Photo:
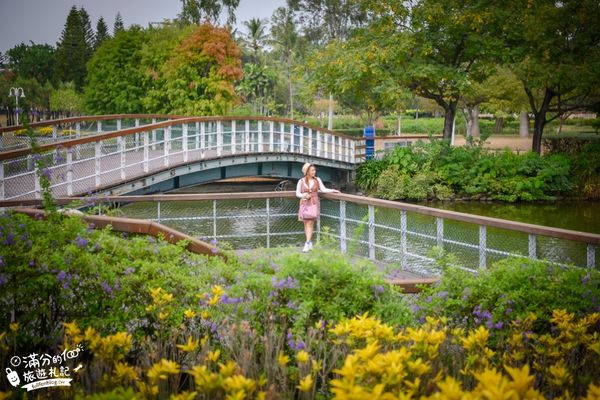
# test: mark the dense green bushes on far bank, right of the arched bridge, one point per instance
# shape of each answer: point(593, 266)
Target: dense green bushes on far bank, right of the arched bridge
point(436, 170)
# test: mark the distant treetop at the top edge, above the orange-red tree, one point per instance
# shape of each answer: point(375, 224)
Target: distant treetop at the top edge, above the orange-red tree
point(199, 11)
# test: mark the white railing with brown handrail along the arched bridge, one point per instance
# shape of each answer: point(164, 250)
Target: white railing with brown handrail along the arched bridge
point(95, 159)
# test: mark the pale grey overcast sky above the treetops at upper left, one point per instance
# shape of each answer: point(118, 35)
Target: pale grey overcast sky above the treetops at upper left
point(42, 21)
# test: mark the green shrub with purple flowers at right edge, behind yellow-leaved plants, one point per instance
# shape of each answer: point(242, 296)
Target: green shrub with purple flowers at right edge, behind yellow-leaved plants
point(512, 288)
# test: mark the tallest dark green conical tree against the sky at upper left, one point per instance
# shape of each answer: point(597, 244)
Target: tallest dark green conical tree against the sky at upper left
point(72, 51)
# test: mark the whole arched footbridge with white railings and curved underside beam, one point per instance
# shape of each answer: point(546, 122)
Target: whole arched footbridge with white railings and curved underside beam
point(139, 153)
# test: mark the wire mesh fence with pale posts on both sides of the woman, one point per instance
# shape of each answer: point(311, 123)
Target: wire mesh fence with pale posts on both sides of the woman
point(413, 241)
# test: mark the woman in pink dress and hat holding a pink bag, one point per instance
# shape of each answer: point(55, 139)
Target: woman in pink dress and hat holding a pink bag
point(307, 190)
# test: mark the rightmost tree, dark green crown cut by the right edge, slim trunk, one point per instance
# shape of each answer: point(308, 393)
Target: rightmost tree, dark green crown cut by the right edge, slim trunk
point(557, 48)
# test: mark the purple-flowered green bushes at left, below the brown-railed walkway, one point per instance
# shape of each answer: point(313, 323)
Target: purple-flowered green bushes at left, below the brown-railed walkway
point(63, 269)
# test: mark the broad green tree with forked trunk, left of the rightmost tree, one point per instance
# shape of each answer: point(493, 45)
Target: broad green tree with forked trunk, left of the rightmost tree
point(439, 46)
